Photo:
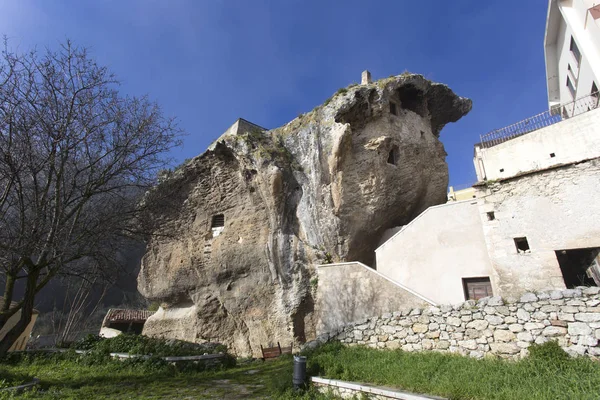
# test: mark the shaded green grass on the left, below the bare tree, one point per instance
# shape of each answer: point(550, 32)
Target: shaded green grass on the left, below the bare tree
point(70, 376)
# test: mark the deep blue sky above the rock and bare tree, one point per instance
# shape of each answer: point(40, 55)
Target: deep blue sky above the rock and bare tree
point(210, 62)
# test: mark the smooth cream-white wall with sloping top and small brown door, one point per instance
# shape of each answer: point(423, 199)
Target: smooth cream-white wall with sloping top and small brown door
point(433, 253)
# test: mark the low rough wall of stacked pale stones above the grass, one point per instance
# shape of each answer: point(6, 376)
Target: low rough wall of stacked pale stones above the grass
point(489, 326)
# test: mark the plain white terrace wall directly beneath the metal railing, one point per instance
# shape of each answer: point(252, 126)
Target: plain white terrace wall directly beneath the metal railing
point(571, 140)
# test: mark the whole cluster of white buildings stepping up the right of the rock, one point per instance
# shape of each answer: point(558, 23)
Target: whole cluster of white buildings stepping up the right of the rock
point(530, 223)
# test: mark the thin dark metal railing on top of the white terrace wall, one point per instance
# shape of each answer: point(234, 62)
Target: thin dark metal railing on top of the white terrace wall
point(556, 114)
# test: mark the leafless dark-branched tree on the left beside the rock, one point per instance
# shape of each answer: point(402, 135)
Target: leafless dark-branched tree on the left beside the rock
point(75, 156)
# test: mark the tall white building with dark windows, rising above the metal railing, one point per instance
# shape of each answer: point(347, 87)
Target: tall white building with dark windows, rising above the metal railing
point(572, 29)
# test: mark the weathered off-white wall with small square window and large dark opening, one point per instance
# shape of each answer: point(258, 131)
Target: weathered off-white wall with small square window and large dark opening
point(556, 209)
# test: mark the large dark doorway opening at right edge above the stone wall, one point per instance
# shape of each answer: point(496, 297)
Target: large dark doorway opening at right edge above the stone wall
point(580, 267)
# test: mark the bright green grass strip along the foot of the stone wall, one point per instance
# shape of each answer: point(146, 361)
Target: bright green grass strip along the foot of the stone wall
point(547, 374)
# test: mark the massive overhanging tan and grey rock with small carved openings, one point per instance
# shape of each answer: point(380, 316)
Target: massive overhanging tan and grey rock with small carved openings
point(322, 188)
